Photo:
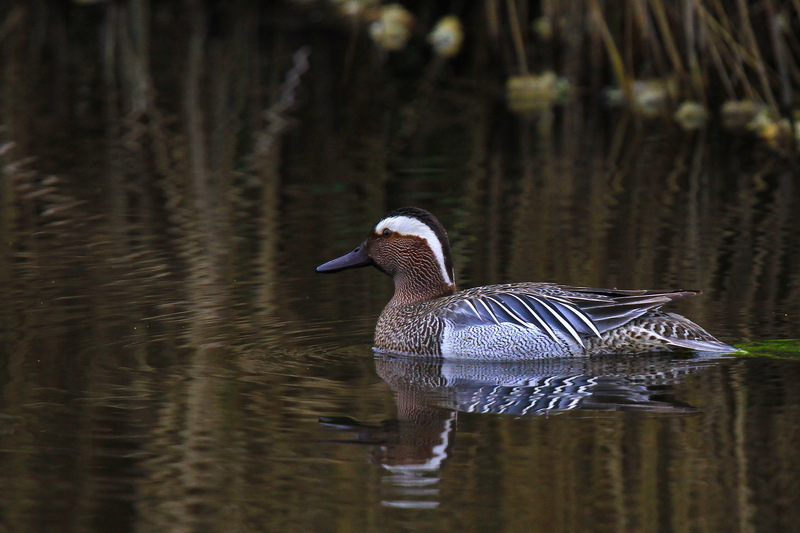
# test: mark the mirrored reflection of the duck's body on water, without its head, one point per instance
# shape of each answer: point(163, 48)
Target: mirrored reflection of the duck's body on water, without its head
point(532, 387)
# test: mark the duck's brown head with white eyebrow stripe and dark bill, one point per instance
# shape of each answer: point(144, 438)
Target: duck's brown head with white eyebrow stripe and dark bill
point(411, 246)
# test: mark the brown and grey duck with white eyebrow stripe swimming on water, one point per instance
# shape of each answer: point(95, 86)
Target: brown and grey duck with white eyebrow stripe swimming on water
point(428, 316)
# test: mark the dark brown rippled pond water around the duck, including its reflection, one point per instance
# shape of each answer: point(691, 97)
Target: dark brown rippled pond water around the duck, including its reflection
point(171, 362)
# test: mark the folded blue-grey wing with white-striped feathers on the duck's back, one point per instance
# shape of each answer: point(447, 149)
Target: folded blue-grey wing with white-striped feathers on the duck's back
point(572, 312)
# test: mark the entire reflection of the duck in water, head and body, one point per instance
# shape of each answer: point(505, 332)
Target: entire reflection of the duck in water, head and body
point(430, 392)
